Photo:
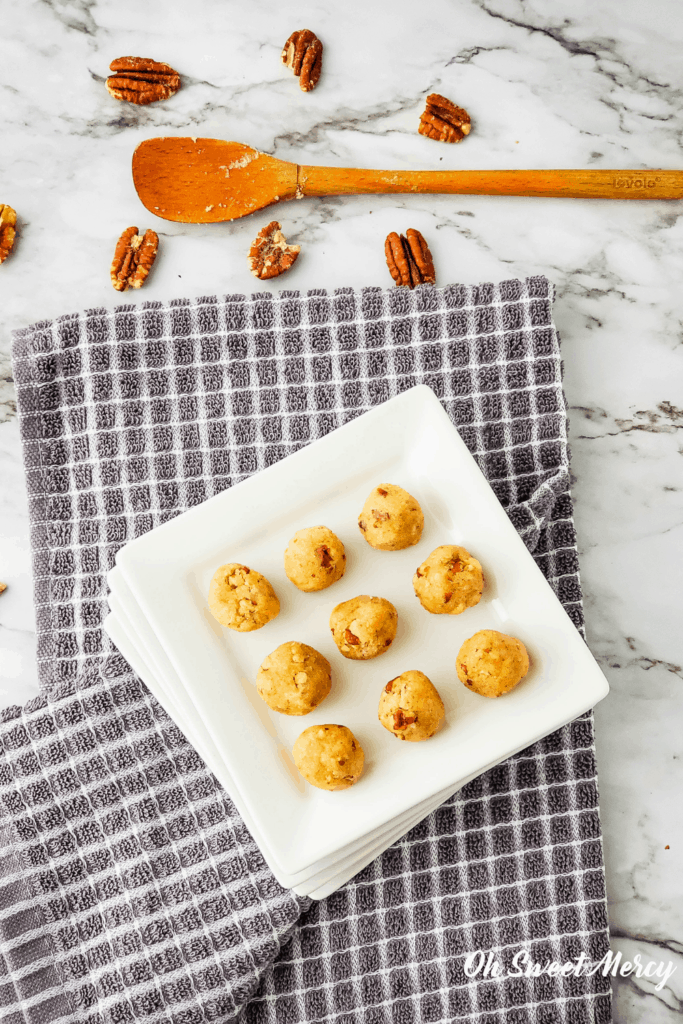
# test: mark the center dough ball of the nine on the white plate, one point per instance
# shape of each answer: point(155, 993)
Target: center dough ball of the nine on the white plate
point(364, 627)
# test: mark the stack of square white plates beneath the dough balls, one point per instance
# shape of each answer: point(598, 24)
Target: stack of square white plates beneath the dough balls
point(204, 675)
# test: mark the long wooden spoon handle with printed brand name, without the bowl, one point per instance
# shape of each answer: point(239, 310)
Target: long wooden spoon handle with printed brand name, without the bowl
point(571, 185)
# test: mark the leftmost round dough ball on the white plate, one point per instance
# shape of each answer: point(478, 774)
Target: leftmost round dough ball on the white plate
point(241, 599)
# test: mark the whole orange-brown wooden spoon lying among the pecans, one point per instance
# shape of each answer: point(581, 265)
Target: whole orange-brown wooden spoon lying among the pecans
point(204, 181)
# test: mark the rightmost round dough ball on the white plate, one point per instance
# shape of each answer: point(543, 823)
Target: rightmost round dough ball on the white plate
point(492, 664)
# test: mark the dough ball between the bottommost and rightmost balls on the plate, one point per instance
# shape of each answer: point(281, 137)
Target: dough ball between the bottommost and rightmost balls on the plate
point(411, 707)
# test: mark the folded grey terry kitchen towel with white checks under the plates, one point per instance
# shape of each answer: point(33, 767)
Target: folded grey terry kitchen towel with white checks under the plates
point(132, 890)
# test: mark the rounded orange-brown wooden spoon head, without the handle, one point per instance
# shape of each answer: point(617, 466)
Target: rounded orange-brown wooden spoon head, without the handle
point(206, 181)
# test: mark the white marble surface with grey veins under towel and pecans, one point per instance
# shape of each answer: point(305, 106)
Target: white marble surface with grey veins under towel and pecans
point(548, 84)
